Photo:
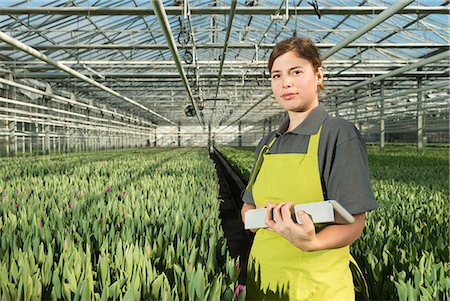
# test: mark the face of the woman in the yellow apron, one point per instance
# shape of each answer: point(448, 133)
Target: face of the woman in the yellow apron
point(295, 83)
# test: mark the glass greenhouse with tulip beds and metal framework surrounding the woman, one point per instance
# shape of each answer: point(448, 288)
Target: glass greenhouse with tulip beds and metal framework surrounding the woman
point(129, 131)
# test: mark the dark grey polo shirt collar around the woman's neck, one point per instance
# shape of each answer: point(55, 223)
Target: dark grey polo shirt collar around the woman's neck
point(310, 125)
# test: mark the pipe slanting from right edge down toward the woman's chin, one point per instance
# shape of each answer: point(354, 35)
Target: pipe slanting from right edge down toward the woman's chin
point(434, 58)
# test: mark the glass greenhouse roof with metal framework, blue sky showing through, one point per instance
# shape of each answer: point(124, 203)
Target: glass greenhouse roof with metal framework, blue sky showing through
point(124, 46)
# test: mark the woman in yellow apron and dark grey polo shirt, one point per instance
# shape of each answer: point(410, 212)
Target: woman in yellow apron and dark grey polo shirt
point(312, 157)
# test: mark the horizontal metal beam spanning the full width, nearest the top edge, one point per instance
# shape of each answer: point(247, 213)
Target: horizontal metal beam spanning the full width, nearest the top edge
point(224, 10)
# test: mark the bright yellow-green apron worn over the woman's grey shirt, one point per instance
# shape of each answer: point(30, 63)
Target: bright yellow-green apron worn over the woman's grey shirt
point(277, 270)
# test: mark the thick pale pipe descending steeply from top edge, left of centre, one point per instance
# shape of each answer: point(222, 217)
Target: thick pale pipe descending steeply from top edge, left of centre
point(160, 13)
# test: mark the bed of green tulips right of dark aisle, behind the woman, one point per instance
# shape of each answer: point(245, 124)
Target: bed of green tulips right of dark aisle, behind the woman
point(404, 250)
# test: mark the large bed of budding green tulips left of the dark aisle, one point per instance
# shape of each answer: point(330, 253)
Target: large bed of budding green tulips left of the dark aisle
point(113, 225)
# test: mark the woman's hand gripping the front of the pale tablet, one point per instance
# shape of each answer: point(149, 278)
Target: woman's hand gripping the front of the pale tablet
point(301, 235)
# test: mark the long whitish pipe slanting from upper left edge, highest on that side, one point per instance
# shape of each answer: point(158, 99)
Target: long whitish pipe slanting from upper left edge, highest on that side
point(16, 43)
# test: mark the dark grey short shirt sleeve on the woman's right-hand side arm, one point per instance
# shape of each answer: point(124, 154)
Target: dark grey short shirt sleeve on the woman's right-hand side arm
point(346, 173)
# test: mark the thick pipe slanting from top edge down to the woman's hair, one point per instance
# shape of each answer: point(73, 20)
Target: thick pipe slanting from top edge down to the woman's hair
point(387, 13)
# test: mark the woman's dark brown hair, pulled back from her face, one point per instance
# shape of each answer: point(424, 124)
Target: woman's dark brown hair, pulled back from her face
point(303, 47)
